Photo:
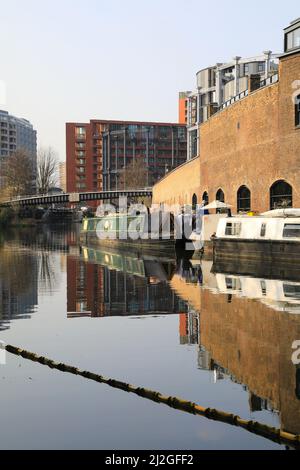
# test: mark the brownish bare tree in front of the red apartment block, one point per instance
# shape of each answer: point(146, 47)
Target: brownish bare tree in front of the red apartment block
point(135, 175)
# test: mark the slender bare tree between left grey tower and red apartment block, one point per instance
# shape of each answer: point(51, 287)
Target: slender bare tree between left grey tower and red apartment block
point(47, 170)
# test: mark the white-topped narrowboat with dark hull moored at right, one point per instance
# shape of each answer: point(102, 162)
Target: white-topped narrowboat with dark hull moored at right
point(272, 237)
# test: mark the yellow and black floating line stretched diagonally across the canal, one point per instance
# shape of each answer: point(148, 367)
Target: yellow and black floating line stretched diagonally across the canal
point(254, 427)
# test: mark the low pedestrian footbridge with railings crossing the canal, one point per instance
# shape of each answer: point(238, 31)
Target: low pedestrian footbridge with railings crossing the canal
point(75, 198)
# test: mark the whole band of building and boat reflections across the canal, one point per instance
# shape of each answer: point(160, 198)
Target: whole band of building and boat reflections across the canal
point(243, 320)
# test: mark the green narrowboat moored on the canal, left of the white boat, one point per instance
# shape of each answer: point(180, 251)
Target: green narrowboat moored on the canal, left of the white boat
point(129, 232)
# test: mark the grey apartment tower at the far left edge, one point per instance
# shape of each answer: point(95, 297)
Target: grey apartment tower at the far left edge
point(16, 134)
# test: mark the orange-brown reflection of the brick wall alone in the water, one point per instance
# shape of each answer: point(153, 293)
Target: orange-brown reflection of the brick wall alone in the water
point(254, 343)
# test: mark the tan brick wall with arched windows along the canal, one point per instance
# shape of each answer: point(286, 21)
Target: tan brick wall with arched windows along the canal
point(254, 143)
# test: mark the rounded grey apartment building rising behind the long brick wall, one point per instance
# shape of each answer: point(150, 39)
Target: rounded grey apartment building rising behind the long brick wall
point(217, 86)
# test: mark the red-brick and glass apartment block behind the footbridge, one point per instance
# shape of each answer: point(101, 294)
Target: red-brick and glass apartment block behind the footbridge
point(98, 151)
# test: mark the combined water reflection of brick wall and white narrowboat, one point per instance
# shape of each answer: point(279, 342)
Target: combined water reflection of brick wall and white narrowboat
point(247, 326)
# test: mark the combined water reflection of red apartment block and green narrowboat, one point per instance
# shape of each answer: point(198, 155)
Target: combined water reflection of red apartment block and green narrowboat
point(108, 283)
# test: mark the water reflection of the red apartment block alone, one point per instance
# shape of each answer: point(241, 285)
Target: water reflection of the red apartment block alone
point(94, 290)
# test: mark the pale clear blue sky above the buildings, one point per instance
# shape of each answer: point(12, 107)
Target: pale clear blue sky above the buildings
point(73, 60)
